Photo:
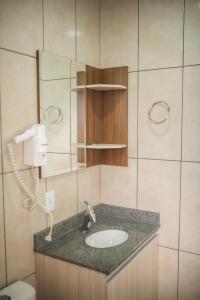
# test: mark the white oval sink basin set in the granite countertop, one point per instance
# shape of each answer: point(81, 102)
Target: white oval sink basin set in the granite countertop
point(106, 238)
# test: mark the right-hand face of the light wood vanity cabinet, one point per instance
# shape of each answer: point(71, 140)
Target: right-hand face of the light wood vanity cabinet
point(138, 279)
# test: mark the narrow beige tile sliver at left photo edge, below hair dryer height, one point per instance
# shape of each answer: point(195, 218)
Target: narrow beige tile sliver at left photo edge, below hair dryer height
point(2, 240)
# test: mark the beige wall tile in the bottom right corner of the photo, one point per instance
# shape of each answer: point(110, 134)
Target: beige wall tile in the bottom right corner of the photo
point(189, 276)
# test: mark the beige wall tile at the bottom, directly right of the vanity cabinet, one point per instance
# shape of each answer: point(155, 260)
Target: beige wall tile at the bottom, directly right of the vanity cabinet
point(167, 273)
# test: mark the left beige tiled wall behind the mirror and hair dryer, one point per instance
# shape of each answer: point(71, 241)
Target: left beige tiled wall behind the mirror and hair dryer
point(61, 27)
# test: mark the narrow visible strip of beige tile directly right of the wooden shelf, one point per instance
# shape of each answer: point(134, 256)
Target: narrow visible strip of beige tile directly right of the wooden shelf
point(132, 115)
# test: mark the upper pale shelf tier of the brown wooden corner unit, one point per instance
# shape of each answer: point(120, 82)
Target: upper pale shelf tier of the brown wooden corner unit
point(100, 87)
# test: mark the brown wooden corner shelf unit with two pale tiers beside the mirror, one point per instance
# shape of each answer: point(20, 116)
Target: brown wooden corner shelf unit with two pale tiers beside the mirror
point(106, 109)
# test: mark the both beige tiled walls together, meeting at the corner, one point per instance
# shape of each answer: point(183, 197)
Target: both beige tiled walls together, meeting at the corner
point(159, 41)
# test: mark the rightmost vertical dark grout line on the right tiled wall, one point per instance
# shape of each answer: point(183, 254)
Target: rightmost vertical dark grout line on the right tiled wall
point(180, 199)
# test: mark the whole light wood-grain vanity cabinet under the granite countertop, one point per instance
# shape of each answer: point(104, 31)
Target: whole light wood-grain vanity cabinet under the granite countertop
point(60, 280)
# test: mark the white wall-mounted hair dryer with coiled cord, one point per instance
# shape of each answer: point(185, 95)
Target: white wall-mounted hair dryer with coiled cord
point(35, 155)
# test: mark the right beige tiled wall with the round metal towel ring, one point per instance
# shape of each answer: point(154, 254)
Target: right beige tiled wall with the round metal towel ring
point(160, 42)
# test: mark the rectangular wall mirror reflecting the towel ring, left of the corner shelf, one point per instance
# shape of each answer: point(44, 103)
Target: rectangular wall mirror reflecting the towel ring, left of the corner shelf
point(62, 110)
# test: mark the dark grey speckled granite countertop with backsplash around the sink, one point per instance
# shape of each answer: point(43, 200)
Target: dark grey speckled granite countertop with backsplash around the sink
point(68, 242)
